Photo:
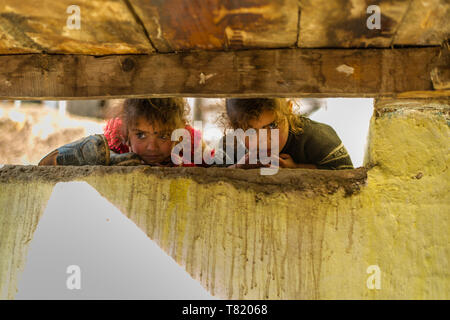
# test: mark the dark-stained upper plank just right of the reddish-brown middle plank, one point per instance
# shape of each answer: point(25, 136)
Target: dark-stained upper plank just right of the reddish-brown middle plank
point(341, 23)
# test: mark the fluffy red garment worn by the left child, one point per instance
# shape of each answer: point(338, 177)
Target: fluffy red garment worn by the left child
point(116, 143)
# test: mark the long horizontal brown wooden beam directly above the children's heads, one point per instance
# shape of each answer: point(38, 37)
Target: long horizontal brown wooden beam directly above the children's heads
point(249, 73)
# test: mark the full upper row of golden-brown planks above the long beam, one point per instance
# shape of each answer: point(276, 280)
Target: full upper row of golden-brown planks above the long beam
point(149, 26)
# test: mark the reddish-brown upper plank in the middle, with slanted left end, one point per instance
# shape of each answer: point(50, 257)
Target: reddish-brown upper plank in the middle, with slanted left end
point(180, 25)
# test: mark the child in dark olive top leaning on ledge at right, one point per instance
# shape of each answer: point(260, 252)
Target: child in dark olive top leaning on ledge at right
point(303, 143)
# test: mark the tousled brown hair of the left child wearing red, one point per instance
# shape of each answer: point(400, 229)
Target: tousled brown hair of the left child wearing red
point(169, 113)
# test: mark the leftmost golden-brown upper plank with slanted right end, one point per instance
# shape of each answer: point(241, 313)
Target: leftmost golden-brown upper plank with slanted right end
point(106, 27)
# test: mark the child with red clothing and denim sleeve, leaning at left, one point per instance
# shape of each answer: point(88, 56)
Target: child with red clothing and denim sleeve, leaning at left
point(140, 134)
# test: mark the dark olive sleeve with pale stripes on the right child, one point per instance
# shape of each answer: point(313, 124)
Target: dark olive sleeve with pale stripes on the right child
point(325, 149)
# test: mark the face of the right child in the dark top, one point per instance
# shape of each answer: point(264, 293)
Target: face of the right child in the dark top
point(267, 120)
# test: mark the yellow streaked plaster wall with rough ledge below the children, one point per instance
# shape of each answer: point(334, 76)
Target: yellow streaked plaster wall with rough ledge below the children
point(302, 234)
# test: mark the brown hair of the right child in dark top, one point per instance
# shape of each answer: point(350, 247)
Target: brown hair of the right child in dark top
point(241, 110)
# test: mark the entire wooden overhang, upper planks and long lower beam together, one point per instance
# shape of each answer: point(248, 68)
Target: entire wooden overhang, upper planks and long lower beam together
point(189, 48)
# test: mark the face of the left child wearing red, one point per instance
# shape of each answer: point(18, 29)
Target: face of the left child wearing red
point(147, 140)
